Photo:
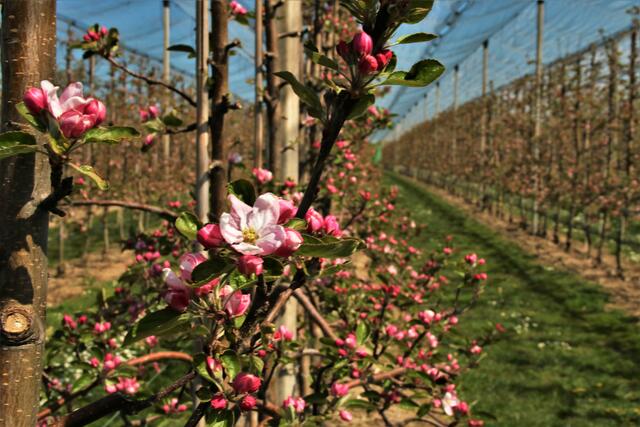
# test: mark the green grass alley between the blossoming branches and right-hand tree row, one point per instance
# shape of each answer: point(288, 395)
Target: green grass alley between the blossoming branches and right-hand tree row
point(566, 361)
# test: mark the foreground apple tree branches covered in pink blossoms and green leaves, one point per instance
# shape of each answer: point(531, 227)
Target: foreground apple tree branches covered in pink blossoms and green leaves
point(376, 335)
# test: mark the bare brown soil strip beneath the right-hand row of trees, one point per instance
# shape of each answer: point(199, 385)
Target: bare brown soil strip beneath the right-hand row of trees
point(625, 294)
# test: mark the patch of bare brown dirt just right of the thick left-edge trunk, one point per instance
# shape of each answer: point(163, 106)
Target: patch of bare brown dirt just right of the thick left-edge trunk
point(79, 273)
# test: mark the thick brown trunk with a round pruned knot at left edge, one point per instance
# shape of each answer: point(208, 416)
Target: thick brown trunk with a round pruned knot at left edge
point(28, 56)
